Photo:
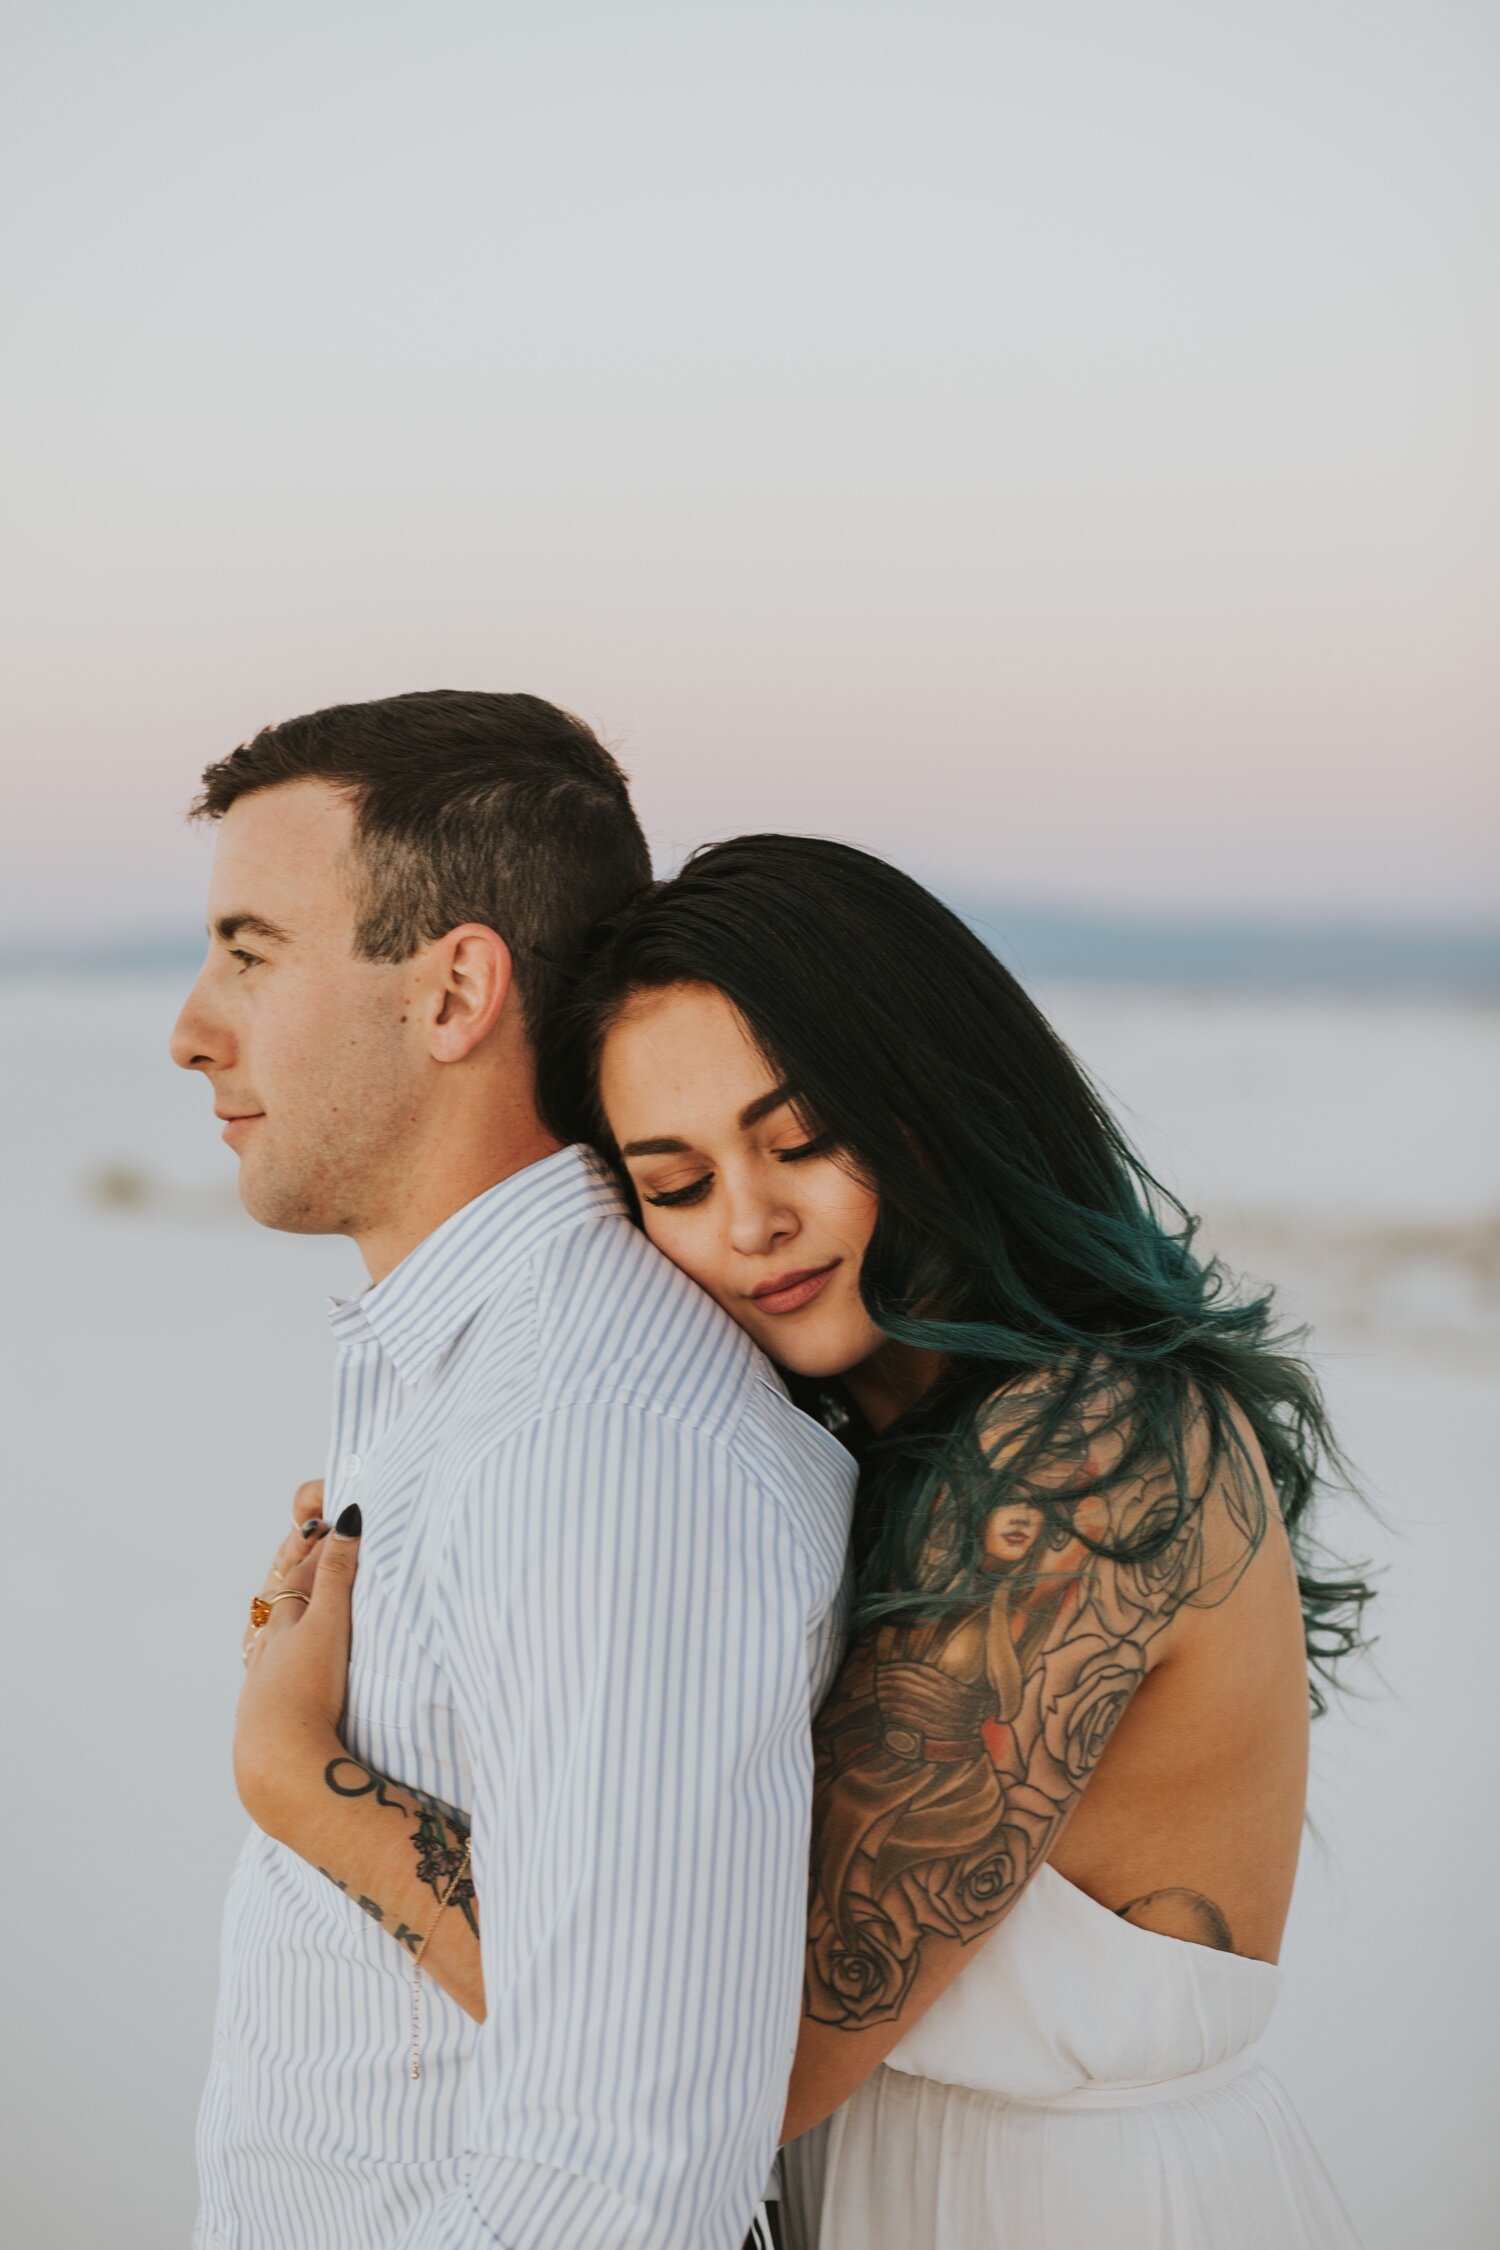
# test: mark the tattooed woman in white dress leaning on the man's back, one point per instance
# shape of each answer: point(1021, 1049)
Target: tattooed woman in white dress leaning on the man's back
point(1087, 1632)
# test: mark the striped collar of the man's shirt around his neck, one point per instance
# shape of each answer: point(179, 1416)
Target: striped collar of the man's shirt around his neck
point(417, 1311)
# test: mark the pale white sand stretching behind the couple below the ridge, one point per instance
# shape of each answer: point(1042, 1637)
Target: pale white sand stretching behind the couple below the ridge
point(165, 1369)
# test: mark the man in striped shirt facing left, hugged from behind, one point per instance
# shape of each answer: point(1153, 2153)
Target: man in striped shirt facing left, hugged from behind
point(599, 1565)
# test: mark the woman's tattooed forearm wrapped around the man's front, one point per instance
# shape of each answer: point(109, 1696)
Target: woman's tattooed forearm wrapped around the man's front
point(395, 1851)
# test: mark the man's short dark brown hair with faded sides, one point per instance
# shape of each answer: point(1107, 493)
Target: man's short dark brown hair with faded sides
point(469, 809)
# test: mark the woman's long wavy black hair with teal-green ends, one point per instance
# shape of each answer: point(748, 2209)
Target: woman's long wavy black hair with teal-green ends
point(1020, 1236)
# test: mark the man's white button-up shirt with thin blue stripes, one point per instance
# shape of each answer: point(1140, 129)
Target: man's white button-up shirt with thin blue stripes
point(599, 1599)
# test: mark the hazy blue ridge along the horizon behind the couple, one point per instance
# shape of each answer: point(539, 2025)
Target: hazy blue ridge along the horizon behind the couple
point(1056, 946)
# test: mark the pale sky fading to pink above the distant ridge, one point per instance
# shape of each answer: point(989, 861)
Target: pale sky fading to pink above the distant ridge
point(1047, 444)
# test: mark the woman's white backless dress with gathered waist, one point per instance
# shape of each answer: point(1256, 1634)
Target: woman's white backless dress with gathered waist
point(1083, 2085)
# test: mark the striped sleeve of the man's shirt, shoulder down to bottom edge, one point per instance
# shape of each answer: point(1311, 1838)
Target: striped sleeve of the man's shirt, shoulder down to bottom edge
point(629, 1644)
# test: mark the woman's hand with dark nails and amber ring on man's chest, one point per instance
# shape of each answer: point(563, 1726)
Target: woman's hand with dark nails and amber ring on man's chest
point(298, 1664)
